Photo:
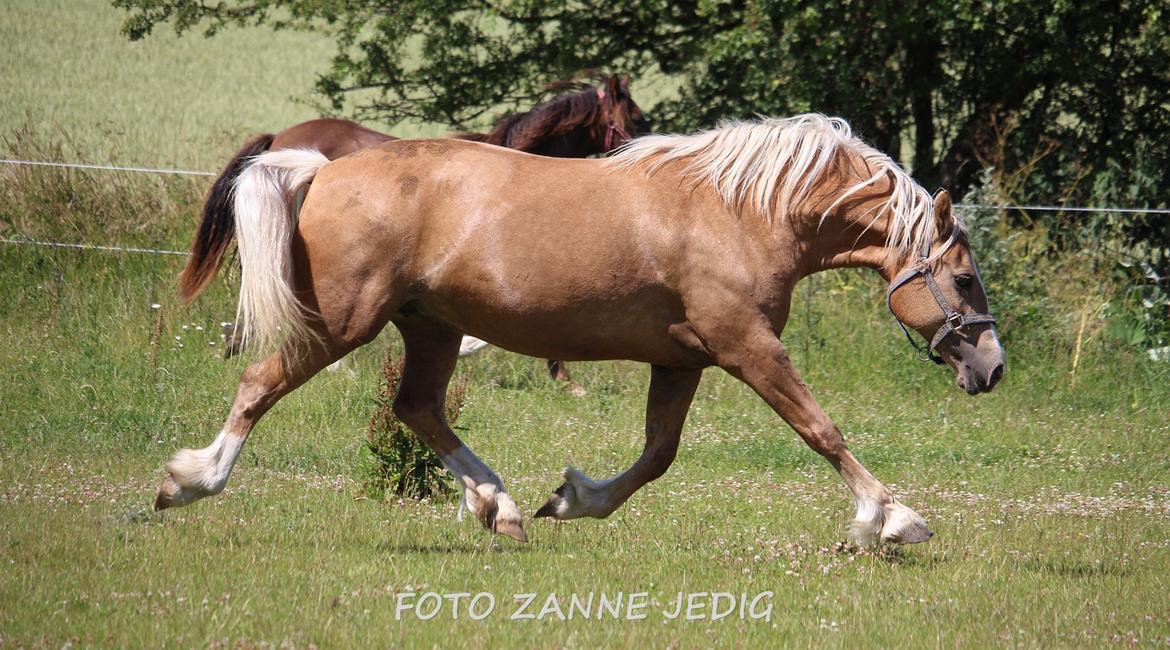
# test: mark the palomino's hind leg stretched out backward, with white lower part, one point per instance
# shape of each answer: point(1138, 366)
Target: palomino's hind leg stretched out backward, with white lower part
point(195, 474)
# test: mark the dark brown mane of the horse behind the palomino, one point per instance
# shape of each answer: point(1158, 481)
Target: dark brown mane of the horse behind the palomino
point(558, 116)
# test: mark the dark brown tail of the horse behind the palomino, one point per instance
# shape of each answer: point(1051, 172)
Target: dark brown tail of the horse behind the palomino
point(218, 226)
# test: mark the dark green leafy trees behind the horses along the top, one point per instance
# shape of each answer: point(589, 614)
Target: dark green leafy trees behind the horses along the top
point(1076, 94)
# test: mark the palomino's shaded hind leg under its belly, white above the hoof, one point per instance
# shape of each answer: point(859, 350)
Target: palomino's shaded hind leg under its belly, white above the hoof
point(431, 354)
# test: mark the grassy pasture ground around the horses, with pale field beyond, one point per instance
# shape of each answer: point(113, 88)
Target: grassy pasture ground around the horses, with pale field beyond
point(1050, 497)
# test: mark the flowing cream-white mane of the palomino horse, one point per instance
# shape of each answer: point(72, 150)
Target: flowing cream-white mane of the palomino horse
point(774, 164)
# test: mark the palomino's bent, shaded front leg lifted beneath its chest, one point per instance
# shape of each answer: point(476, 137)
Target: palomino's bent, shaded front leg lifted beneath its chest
point(666, 412)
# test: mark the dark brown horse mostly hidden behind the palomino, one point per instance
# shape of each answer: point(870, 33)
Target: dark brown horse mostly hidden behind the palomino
point(587, 121)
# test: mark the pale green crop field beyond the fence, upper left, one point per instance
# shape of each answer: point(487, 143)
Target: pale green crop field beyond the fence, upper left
point(166, 101)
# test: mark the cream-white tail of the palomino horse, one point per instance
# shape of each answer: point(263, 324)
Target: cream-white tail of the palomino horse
point(265, 223)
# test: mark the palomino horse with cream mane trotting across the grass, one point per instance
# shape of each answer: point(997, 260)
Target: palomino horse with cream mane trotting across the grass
point(691, 248)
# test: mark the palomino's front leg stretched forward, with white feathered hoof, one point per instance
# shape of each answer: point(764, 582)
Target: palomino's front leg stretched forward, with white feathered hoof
point(759, 359)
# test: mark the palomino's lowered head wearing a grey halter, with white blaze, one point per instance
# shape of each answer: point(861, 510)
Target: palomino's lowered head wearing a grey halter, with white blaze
point(940, 295)
